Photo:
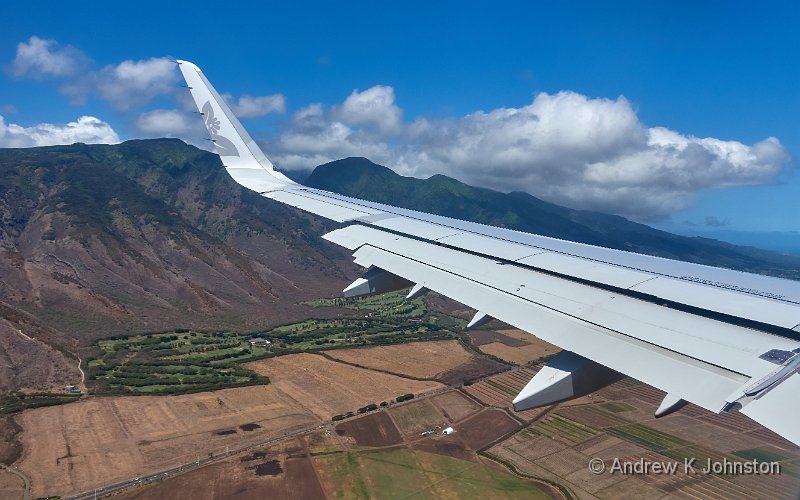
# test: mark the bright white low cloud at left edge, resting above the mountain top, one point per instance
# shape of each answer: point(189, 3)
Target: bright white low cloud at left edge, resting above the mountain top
point(86, 129)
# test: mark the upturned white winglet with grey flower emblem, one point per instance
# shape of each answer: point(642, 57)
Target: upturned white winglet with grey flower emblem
point(242, 157)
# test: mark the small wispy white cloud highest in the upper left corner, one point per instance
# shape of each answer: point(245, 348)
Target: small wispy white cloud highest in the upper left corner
point(38, 58)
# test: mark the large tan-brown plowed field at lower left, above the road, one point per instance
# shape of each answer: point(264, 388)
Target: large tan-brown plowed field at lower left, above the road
point(97, 441)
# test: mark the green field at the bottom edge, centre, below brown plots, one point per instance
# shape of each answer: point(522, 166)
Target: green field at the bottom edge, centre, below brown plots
point(416, 474)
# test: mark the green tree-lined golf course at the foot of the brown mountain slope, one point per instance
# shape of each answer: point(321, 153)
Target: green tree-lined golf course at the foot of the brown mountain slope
point(188, 361)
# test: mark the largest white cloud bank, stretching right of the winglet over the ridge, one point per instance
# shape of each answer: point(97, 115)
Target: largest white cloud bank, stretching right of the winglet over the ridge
point(587, 153)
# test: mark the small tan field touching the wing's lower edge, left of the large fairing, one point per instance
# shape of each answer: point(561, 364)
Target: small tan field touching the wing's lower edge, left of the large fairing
point(513, 346)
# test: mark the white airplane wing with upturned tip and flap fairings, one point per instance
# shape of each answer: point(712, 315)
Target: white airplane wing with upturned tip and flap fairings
point(718, 338)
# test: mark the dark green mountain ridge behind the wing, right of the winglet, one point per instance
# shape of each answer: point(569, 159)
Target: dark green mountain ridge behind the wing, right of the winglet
point(442, 195)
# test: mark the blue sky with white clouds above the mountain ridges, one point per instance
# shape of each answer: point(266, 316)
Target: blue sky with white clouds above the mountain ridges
point(445, 87)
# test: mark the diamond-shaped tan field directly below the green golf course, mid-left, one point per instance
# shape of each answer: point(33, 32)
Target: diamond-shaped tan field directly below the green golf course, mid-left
point(312, 379)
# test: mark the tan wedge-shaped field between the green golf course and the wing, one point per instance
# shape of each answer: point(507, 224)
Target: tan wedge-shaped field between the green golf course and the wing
point(417, 360)
